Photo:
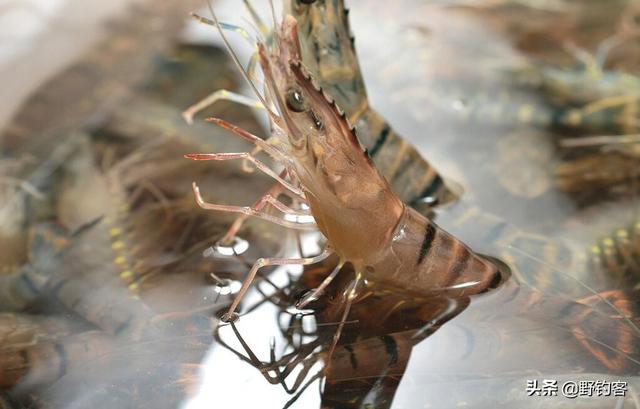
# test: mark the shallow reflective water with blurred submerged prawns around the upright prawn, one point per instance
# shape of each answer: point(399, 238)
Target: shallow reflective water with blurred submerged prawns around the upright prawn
point(444, 75)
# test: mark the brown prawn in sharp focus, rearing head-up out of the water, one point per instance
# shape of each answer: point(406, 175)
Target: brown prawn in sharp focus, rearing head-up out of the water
point(364, 222)
